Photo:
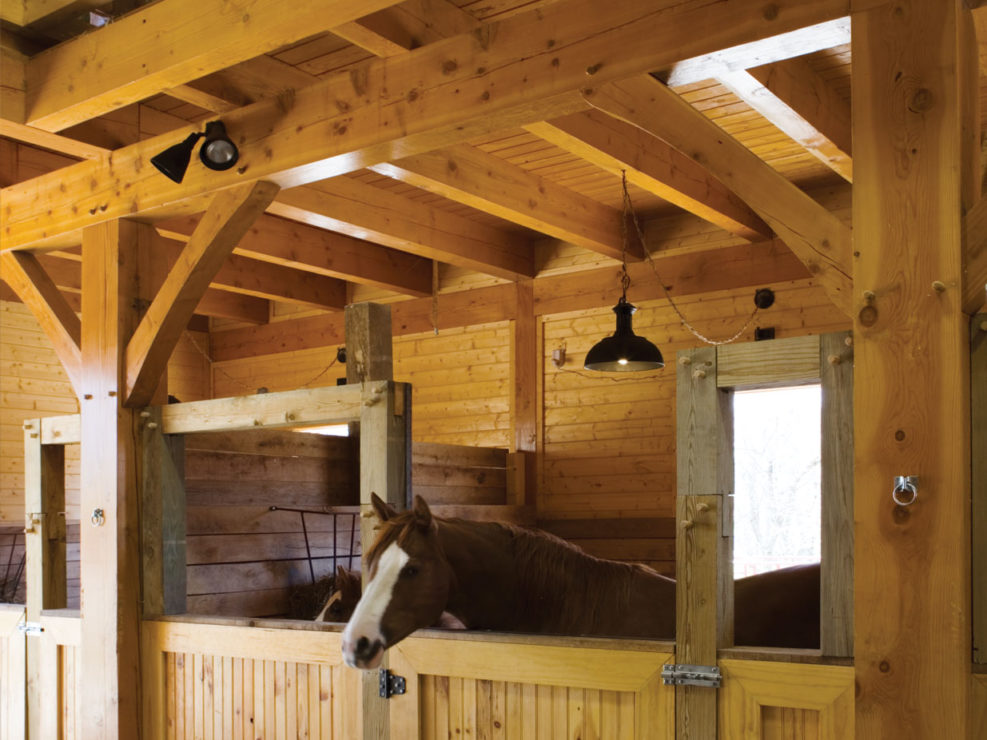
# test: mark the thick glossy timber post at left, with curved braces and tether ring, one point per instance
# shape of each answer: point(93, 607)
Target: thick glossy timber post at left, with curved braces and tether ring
point(109, 696)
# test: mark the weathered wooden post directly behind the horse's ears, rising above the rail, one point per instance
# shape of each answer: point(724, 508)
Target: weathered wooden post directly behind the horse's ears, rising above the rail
point(385, 451)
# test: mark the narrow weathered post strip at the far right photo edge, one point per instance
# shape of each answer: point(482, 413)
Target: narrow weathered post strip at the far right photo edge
point(978, 439)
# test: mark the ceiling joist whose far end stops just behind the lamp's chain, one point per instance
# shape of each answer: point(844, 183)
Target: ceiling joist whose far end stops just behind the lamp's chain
point(470, 176)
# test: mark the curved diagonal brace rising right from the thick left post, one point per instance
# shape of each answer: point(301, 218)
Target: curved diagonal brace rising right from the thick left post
point(229, 216)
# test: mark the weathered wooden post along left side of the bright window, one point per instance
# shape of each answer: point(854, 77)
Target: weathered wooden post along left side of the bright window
point(703, 549)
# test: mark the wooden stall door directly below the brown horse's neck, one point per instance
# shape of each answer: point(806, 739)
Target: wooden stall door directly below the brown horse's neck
point(534, 687)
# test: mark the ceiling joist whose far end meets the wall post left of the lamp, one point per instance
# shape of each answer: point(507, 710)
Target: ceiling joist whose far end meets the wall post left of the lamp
point(363, 211)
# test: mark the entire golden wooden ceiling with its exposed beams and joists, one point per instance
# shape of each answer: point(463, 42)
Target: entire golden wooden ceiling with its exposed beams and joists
point(486, 138)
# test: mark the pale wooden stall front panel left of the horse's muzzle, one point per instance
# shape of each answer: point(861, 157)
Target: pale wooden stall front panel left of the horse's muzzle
point(231, 680)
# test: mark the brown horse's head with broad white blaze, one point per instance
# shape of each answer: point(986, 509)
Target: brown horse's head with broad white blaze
point(408, 584)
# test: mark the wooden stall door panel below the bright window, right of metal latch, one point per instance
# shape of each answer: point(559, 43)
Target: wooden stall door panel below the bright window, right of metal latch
point(762, 700)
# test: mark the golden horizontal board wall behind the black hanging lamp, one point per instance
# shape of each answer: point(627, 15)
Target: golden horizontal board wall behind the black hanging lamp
point(609, 441)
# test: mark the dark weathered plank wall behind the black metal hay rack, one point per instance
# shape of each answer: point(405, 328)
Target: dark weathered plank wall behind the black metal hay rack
point(243, 559)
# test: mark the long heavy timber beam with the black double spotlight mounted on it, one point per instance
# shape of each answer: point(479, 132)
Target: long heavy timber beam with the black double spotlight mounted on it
point(512, 74)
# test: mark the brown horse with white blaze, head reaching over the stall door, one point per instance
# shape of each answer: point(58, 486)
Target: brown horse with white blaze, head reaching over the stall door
point(496, 576)
